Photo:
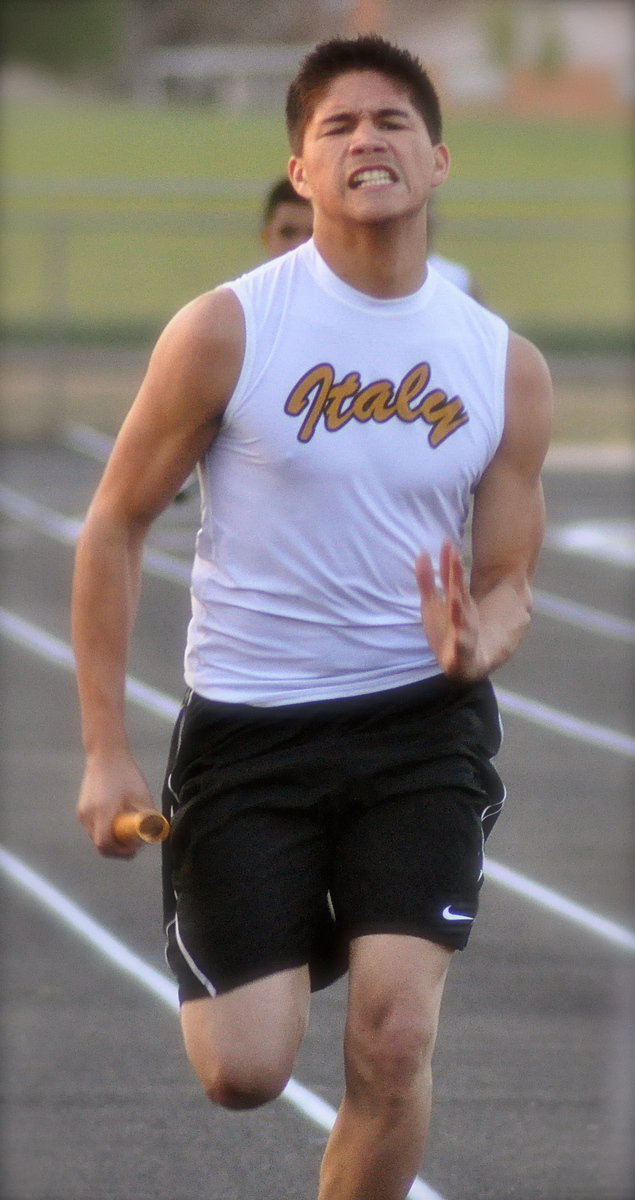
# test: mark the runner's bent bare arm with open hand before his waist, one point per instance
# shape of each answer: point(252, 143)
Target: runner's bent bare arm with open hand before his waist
point(476, 628)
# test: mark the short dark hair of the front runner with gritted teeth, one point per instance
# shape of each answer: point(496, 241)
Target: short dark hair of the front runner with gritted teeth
point(369, 52)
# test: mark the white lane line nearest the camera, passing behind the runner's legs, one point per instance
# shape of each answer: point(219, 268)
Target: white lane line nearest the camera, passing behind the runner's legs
point(155, 982)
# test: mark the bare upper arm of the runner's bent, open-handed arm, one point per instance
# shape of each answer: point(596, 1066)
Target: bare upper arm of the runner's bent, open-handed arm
point(510, 511)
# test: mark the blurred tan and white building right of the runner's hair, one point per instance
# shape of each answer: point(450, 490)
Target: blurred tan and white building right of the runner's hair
point(531, 57)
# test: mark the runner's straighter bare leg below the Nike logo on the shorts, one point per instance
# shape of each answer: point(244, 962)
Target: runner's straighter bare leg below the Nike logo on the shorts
point(378, 1142)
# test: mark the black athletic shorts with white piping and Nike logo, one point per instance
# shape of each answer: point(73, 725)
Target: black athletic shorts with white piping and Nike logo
point(301, 827)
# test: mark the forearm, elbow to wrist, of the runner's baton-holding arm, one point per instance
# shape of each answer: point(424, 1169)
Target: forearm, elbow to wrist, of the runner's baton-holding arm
point(106, 590)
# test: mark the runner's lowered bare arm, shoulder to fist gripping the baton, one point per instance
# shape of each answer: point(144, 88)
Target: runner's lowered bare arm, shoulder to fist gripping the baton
point(172, 423)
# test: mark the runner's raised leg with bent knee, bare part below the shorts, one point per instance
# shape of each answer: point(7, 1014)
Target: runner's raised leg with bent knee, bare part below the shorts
point(243, 1045)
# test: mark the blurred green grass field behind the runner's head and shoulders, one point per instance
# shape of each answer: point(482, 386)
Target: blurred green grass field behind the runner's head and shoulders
point(117, 215)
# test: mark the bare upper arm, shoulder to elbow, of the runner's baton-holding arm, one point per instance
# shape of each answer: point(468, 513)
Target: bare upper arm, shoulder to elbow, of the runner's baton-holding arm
point(178, 411)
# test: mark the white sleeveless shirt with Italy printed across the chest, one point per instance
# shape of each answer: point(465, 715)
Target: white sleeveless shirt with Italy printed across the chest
point(357, 433)
